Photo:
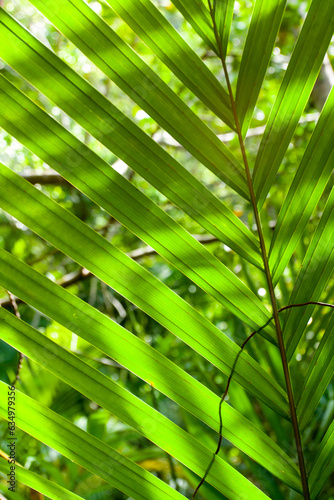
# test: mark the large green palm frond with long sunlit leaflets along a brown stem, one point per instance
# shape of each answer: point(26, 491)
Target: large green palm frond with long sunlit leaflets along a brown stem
point(267, 377)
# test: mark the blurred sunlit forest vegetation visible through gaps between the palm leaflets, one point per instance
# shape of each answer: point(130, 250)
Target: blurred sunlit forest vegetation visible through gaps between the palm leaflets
point(19, 240)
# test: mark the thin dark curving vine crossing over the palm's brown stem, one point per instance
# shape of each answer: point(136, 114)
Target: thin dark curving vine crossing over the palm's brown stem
point(223, 398)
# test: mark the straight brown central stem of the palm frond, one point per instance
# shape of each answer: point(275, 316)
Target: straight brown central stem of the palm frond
point(293, 413)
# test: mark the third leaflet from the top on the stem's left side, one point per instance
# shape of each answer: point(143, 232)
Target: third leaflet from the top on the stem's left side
point(117, 60)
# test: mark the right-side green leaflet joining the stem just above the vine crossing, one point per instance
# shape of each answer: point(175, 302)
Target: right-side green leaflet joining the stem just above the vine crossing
point(308, 184)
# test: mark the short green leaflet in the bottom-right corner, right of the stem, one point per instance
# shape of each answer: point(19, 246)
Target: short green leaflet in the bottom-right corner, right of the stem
point(323, 464)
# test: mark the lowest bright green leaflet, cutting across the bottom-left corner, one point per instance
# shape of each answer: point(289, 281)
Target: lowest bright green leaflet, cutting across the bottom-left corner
point(38, 482)
